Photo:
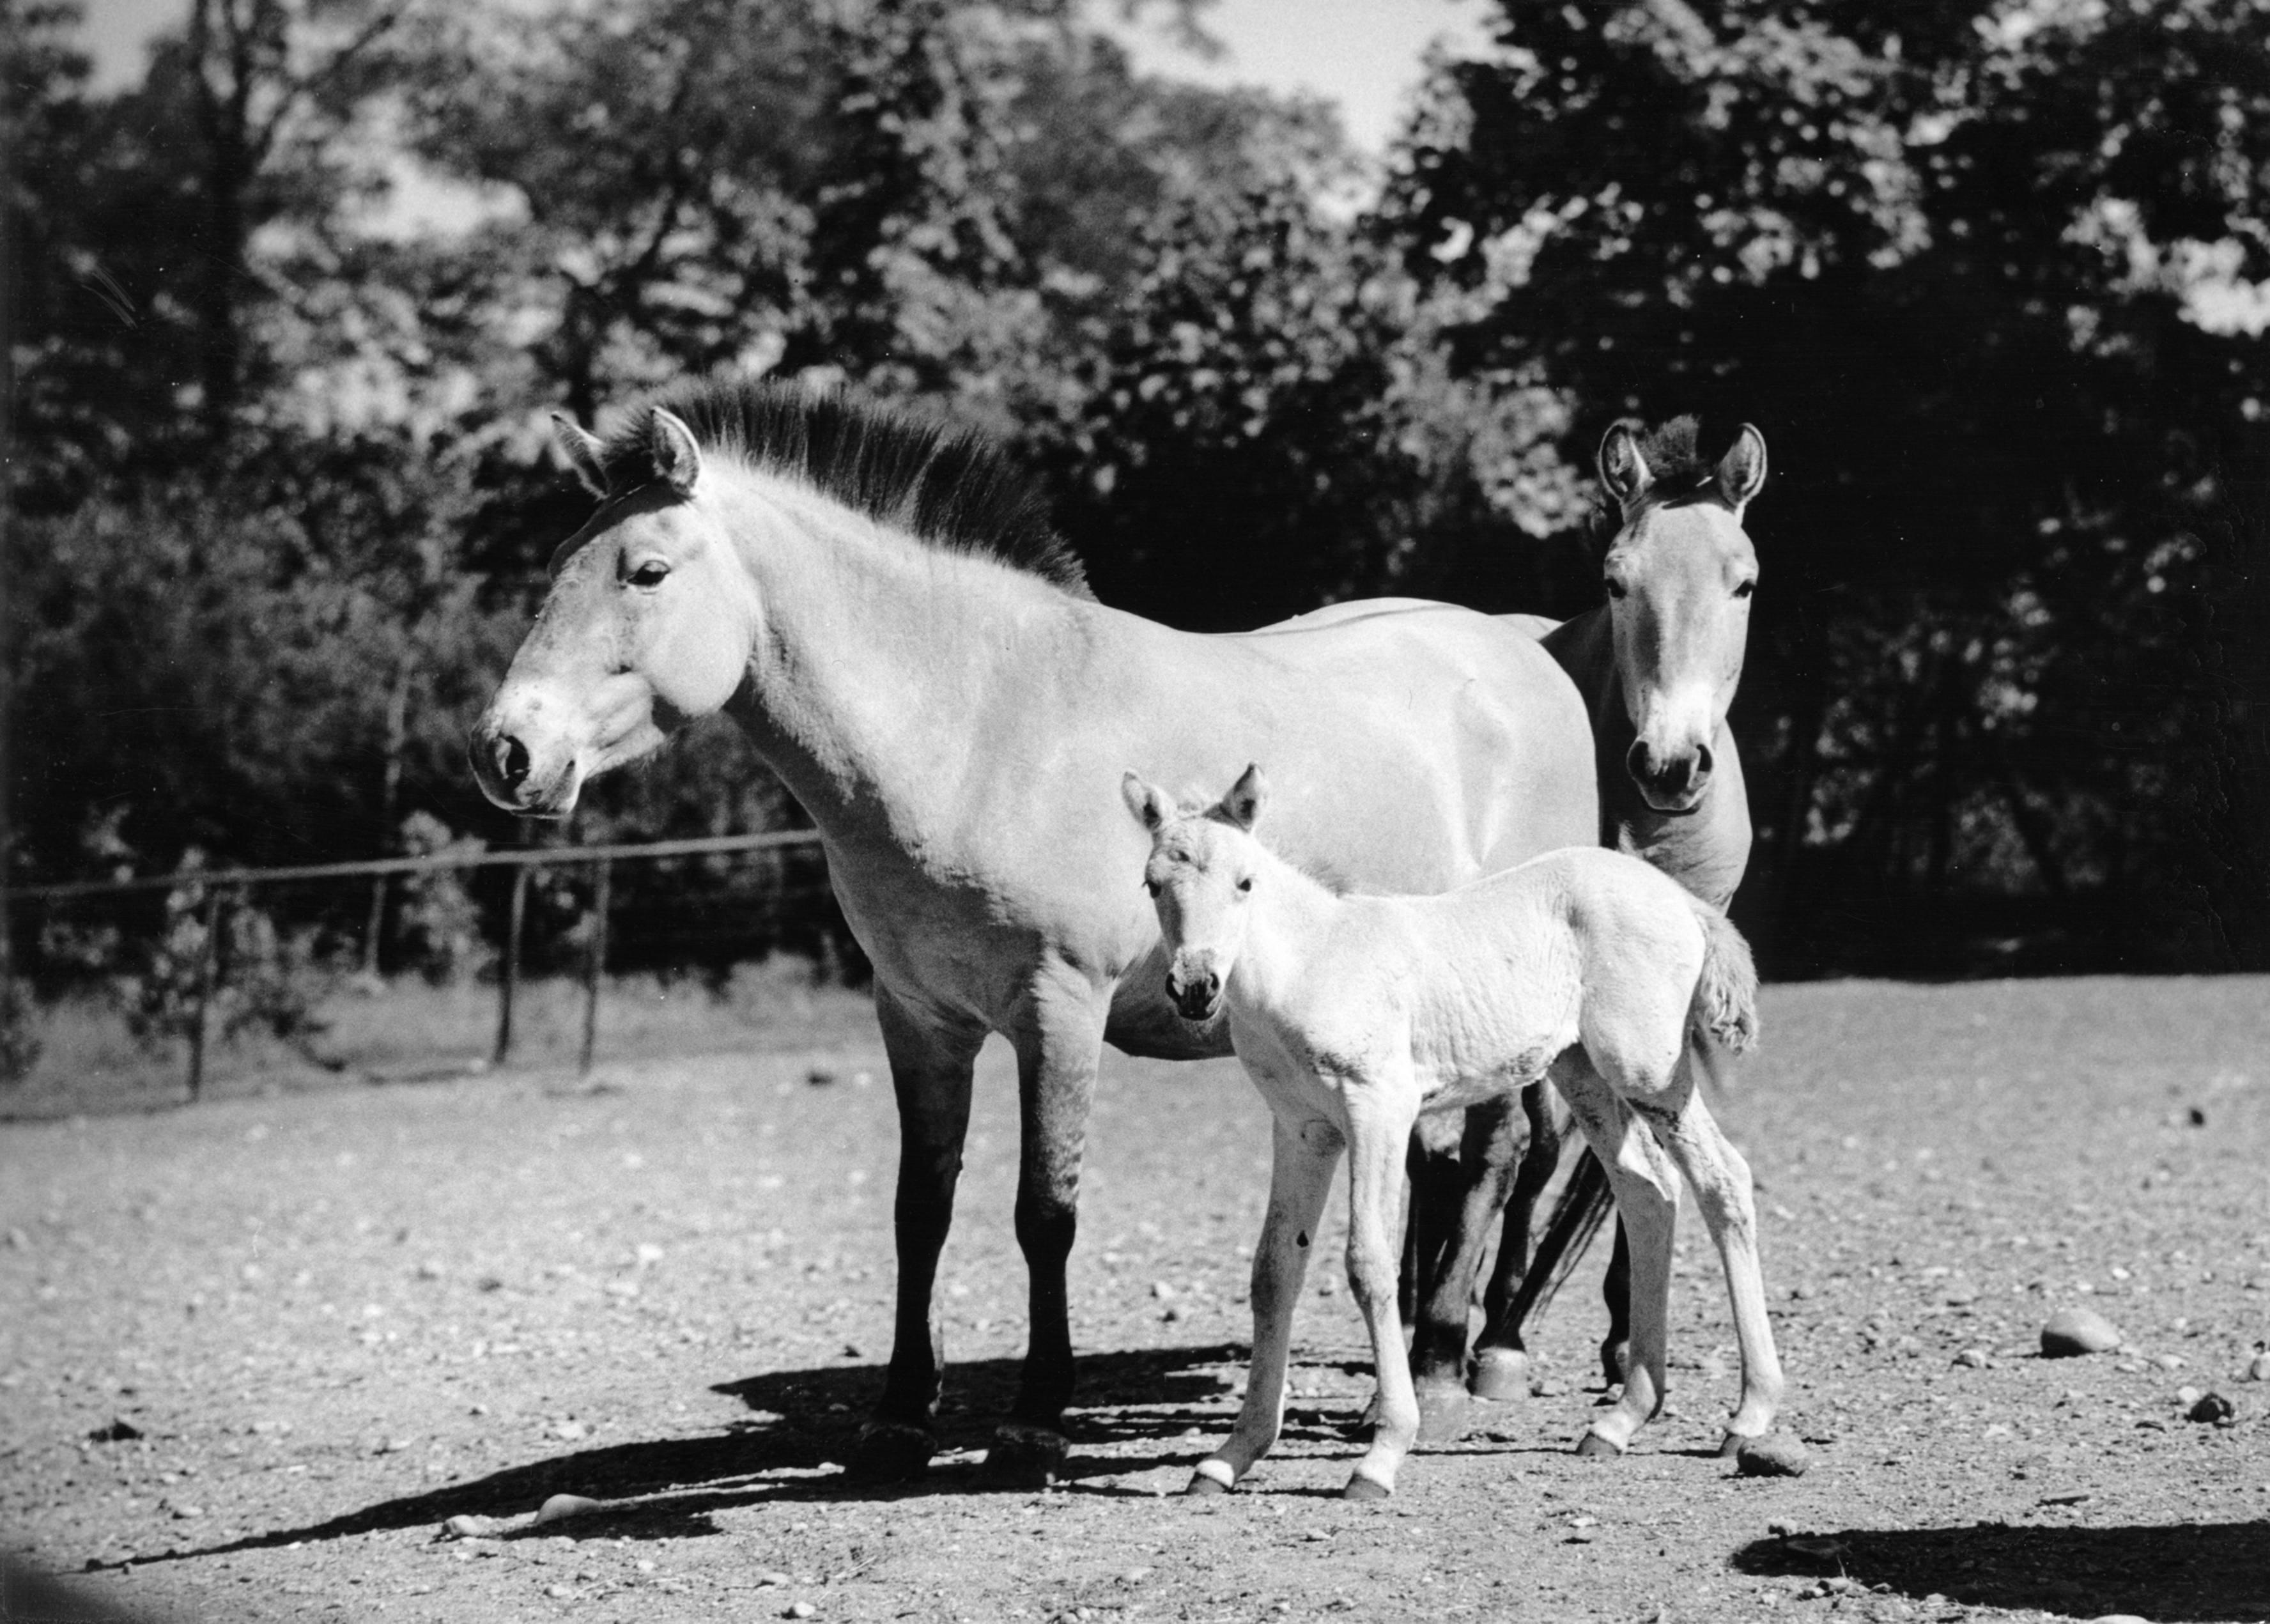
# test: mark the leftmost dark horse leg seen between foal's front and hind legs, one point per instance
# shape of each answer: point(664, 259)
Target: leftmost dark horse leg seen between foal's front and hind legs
point(1456, 1205)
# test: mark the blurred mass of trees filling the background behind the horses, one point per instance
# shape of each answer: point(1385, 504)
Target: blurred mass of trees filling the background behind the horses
point(1992, 278)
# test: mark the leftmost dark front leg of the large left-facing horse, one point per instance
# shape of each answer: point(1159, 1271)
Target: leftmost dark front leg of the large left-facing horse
point(930, 1071)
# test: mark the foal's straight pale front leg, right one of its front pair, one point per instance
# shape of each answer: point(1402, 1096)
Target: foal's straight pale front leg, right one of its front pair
point(1379, 1123)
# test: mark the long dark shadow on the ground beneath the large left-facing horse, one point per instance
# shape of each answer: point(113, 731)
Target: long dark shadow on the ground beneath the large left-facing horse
point(802, 1423)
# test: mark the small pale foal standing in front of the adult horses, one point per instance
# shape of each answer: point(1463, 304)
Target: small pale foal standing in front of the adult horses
point(1356, 1014)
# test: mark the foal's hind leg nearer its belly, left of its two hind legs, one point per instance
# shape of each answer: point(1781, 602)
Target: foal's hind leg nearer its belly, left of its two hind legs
point(1647, 1196)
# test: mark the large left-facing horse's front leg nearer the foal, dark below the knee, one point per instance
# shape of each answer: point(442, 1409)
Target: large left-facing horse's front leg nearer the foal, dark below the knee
point(1059, 1048)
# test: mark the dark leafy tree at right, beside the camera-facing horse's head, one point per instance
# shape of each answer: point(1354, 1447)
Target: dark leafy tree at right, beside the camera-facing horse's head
point(1983, 278)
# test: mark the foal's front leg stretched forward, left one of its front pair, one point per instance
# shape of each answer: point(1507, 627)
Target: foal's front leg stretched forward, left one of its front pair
point(1304, 1157)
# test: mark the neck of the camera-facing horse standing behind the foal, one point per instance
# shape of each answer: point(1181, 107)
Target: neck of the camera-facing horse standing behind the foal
point(1708, 848)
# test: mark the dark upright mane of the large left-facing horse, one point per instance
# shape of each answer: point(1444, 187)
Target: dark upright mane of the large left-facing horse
point(950, 489)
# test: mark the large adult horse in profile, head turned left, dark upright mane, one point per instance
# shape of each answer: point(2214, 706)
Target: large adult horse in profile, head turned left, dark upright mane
point(911, 648)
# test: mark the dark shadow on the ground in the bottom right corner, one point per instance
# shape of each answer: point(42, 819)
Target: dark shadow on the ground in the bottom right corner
point(2217, 1571)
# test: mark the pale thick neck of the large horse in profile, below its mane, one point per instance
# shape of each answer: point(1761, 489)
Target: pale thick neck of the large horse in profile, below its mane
point(877, 658)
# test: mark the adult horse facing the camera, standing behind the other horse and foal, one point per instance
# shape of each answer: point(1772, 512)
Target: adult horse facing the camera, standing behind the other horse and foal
point(1658, 667)
